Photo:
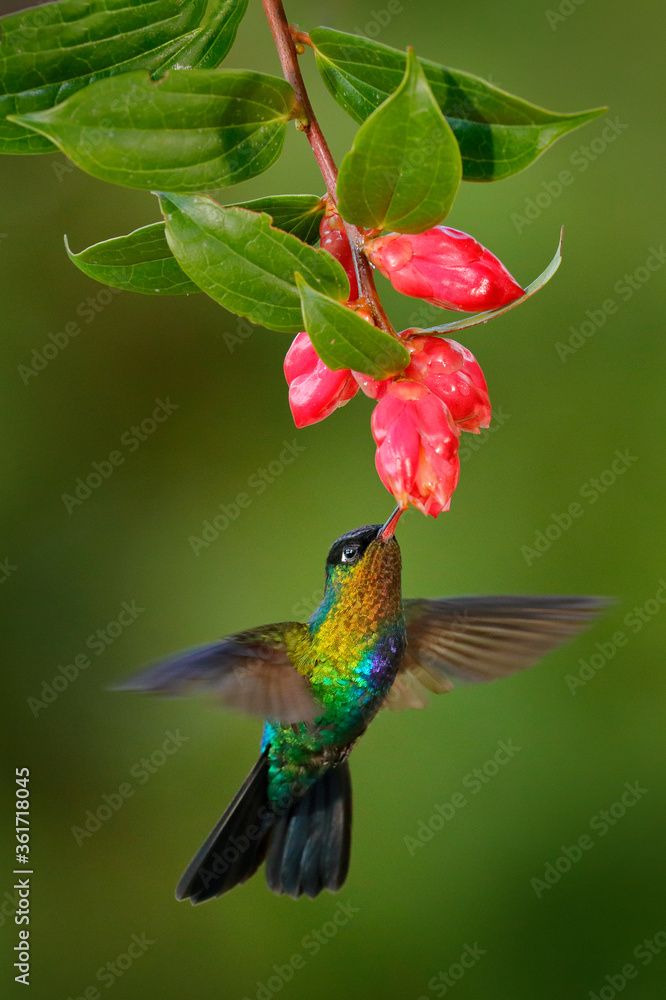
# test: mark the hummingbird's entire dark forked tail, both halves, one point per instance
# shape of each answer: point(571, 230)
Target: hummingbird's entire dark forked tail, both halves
point(306, 844)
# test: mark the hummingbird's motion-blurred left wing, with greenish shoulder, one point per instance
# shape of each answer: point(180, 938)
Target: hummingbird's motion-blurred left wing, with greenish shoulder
point(250, 671)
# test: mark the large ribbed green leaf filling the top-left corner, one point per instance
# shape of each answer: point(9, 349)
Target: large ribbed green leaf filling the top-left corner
point(47, 53)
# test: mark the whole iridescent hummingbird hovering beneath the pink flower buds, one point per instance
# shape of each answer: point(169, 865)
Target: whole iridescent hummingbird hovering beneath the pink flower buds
point(319, 684)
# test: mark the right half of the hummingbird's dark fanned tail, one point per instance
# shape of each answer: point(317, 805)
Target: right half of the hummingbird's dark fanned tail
point(308, 849)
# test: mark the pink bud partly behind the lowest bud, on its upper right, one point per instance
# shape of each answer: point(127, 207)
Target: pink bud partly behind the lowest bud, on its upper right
point(453, 374)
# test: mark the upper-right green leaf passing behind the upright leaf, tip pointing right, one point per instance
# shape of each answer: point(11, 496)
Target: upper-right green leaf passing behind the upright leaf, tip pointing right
point(498, 134)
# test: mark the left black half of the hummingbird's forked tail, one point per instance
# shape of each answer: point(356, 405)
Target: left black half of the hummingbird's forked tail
point(236, 846)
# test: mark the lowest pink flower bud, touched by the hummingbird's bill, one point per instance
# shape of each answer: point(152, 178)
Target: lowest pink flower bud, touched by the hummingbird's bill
point(417, 447)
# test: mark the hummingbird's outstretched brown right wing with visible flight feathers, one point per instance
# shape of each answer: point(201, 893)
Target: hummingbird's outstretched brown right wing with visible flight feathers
point(467, 640)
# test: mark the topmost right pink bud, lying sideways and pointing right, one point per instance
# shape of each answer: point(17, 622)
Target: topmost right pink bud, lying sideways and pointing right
point(445, 267)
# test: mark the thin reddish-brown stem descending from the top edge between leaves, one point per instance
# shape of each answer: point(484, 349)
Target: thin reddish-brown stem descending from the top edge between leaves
point(284, 36)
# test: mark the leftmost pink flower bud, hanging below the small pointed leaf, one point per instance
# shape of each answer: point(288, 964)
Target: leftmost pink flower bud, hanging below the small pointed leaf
point(314, 390)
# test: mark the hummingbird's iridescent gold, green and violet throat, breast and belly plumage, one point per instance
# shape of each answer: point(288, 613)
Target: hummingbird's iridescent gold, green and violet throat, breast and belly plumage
point(349, 654)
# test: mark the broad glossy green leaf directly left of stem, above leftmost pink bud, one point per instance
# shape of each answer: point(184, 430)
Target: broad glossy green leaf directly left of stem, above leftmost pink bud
point(246, 265)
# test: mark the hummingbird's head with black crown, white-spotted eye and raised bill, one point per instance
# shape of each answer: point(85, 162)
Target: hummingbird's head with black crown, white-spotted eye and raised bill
point(364, 565)
